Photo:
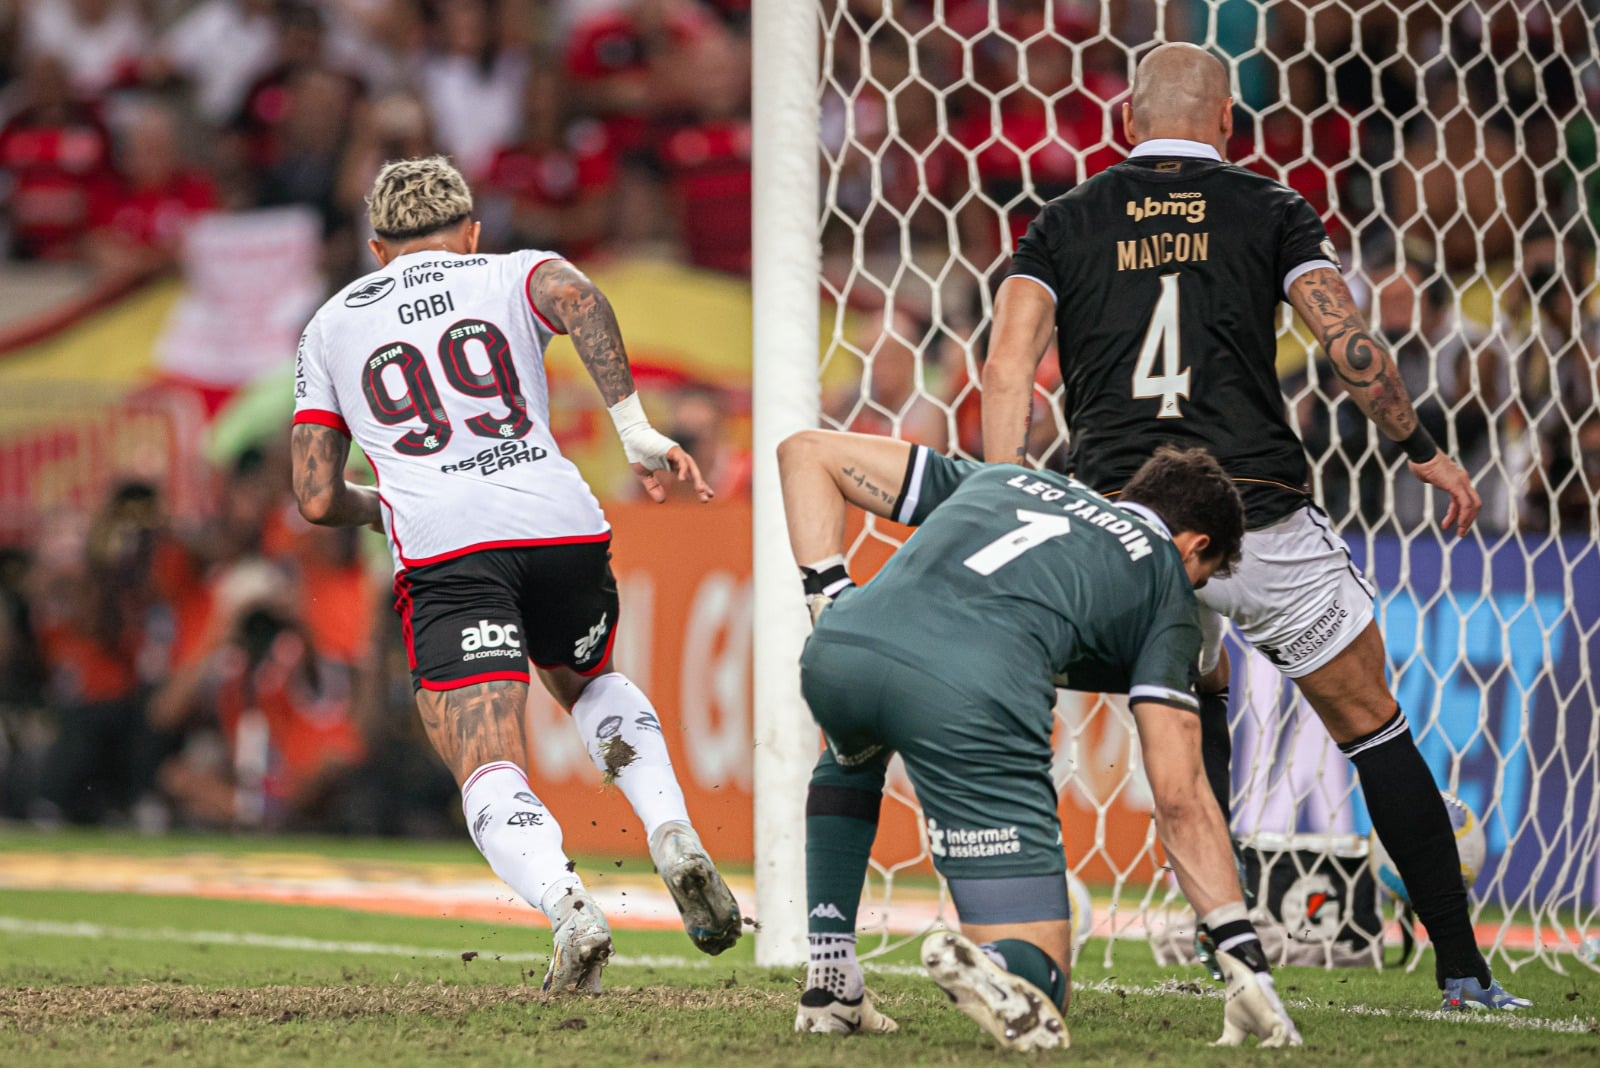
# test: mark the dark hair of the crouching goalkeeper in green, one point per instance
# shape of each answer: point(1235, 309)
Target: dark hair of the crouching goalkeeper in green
point(1191, 492)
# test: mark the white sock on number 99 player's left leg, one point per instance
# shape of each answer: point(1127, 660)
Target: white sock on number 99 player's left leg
point(518, 835)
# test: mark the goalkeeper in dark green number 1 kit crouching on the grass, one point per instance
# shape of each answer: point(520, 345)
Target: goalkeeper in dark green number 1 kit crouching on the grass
point(1014, 583)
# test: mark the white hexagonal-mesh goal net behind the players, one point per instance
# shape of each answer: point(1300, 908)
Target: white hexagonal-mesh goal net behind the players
point(1452, 153)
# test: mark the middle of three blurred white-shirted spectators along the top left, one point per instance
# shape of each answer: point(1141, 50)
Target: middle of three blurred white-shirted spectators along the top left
point(220, 47)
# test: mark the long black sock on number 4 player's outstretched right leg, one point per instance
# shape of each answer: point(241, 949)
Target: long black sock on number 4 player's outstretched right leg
point(1414, 826)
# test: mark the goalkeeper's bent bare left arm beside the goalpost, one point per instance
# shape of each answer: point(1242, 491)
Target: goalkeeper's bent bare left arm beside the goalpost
point(823, 474)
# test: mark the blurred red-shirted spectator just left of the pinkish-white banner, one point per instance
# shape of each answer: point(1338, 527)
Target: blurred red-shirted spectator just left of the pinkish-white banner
point(140, 226)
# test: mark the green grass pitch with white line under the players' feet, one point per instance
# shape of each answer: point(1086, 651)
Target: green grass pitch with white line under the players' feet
point(111, 979)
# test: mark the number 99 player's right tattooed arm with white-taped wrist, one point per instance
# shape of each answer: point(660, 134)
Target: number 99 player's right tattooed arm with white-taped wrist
point(570, 303)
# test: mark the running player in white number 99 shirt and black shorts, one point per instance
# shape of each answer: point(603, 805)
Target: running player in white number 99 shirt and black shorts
point(434, 367)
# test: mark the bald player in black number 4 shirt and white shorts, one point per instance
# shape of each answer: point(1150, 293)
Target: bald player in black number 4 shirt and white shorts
point(1162, 279)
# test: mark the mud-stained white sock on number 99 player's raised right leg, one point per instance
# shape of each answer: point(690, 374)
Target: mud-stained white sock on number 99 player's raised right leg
point(623, 736)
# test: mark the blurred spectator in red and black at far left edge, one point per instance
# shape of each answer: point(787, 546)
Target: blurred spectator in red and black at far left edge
point(57, 156)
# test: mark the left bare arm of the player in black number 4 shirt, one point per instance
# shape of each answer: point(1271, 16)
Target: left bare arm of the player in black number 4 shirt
point(1025, 319)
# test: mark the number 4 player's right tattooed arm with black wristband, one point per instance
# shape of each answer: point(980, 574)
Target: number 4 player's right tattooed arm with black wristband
point(1374, 381)
